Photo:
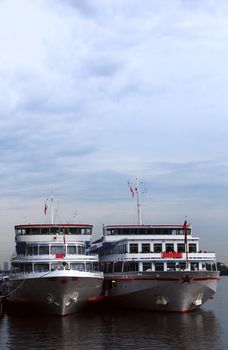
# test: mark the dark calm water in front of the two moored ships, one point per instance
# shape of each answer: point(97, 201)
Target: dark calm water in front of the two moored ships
point(115, 329)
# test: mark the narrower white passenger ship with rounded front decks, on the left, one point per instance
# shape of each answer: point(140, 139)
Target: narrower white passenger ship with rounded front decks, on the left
point(52, 270)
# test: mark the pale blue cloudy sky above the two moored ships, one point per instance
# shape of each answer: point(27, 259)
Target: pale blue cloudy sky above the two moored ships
point(94, 93)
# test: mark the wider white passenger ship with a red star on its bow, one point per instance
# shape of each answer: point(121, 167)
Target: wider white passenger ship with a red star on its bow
point(155, 267)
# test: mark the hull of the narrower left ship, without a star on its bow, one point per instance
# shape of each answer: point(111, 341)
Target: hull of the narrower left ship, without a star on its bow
point(58, 293)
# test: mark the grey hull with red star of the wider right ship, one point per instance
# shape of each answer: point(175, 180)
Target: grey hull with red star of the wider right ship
point(180, 291)
